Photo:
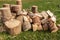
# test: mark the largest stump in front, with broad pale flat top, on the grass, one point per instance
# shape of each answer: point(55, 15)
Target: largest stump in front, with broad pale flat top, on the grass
point(13, 26)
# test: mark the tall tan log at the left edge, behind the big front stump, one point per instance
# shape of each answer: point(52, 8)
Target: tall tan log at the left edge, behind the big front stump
point(6, 14)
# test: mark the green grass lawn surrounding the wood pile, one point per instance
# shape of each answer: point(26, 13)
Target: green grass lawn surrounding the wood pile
point(53, 5)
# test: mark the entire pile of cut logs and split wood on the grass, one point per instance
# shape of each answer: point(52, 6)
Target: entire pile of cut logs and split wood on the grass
point(15, 20)
